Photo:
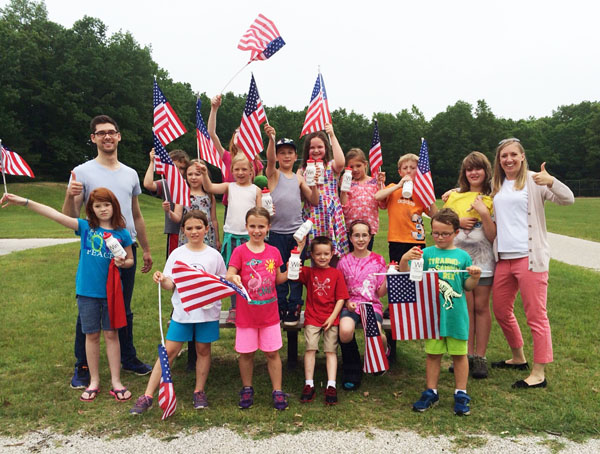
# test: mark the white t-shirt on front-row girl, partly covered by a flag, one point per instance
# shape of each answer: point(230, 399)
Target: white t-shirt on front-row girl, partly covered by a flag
point(208, 260)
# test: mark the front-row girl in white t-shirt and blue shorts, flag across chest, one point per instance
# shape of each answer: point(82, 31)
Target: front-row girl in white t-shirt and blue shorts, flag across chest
point(201, 324)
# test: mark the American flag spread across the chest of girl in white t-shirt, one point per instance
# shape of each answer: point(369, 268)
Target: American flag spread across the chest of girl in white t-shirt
point(197, 288)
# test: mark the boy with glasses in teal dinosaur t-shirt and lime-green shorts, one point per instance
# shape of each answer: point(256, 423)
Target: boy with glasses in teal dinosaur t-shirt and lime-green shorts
point(454, 317)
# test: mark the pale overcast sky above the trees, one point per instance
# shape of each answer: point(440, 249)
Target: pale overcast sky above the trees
point(525, 58)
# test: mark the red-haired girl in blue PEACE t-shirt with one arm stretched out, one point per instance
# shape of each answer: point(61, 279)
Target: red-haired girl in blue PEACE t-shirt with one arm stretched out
point(103, 215)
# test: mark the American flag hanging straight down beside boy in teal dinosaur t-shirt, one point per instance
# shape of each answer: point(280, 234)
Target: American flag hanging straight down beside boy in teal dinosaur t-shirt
point(414, 307)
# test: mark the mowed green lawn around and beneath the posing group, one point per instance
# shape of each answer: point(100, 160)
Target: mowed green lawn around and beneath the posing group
point(38, 313)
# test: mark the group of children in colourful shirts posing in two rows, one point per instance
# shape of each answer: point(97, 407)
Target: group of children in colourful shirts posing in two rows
point(255, 250)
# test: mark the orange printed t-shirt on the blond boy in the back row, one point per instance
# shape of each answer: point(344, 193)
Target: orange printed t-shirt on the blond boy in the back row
point(405, 219)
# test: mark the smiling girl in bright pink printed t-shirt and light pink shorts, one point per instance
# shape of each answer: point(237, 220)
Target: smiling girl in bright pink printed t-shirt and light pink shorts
point(256, 266)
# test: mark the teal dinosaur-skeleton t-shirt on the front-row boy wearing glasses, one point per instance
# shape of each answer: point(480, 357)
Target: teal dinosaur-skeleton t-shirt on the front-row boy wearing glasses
point(454, 315)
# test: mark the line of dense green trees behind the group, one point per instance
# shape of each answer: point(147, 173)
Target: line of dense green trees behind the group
point(55, 79)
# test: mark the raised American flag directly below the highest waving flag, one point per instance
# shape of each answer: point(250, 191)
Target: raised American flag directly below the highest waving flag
point(248, 137)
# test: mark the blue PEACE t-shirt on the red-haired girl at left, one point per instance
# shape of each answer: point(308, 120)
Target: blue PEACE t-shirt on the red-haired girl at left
point(94, 258)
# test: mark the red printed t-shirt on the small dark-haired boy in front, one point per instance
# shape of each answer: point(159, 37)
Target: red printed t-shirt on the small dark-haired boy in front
point(324, 287)
